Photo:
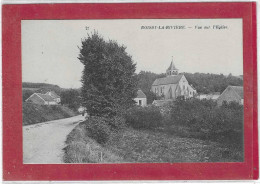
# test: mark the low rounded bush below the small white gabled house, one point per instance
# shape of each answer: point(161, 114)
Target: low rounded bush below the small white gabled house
point(144, 117)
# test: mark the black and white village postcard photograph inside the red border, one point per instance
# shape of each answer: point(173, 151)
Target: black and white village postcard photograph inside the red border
point(132, 91)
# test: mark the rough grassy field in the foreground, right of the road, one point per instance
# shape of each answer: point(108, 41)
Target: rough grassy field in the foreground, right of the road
point(144, 146)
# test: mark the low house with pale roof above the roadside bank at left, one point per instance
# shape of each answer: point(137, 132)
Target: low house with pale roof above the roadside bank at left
point(41, 99)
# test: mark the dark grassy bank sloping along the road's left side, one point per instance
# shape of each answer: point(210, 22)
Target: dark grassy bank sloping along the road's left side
point(33, 113)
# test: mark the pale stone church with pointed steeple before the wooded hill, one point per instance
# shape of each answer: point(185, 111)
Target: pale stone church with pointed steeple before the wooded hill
point(173, 85)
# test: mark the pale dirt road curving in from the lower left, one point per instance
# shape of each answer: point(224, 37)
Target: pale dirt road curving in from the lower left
point(43, 142)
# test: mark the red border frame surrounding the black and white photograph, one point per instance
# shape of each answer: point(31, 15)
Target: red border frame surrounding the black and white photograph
point(14, 169)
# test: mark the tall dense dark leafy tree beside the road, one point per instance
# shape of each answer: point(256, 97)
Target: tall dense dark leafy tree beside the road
point(108, 80)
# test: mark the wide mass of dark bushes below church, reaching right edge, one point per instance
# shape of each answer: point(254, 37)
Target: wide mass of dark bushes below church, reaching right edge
point(206, 120)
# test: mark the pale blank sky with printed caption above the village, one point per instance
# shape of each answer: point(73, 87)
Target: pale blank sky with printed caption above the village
point(50, 47)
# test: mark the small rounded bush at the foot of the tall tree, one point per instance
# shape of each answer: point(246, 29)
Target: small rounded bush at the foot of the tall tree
point(98, 128)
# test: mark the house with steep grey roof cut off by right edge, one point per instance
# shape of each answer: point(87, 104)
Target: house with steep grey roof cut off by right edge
point(232, 94)
